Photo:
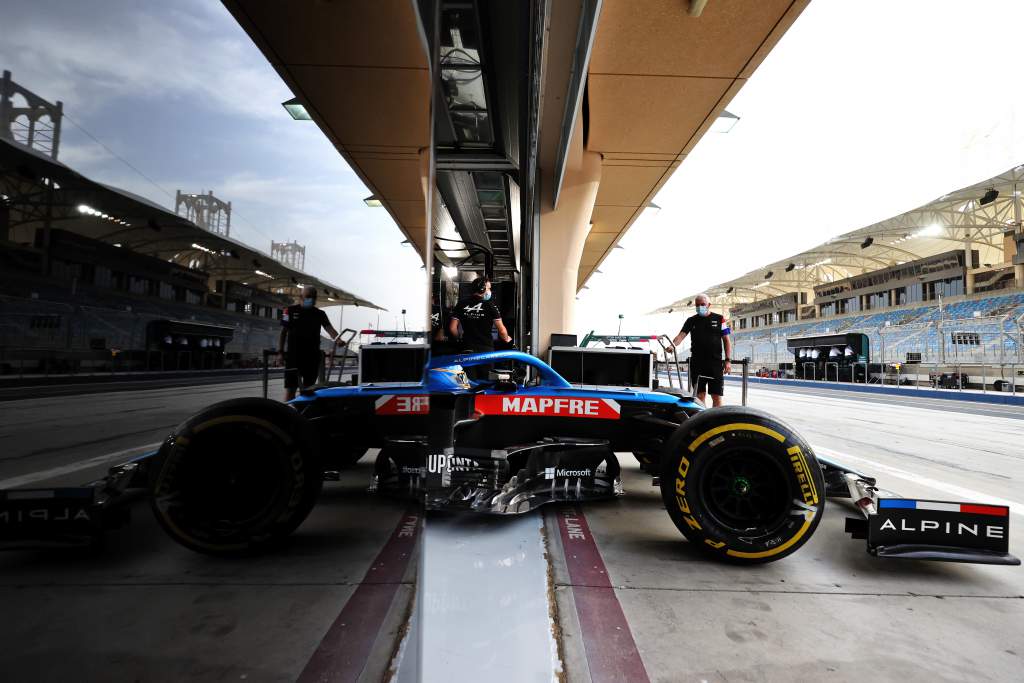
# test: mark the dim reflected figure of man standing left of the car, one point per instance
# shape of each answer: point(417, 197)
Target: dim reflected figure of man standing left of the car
point(301, 330)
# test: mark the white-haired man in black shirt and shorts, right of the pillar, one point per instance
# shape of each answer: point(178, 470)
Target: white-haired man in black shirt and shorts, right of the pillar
point(710, 333)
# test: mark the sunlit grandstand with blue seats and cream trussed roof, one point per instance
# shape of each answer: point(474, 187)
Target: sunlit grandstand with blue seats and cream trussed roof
point(942, 286)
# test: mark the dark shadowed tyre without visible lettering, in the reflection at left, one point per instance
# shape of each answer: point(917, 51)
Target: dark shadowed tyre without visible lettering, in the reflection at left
point(238, 478)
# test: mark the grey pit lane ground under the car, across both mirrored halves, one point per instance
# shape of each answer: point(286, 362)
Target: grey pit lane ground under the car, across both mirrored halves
point(144, 609)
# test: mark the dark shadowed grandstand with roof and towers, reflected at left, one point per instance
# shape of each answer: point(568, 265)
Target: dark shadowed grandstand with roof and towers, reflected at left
point(96, 279)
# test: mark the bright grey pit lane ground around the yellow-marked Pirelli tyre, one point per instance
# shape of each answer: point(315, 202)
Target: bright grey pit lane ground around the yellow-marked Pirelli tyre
point(830, 611)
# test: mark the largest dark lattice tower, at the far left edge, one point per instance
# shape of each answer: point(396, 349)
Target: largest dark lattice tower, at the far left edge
point(29, 120)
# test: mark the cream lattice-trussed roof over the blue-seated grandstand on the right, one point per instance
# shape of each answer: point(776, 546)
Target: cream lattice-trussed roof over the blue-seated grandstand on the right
point(942, 226)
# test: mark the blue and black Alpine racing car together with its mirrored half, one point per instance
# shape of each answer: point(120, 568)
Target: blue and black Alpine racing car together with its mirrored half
point(742, 486)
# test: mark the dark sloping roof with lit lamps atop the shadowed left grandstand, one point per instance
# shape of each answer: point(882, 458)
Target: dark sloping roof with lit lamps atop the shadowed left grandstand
point(116, 217)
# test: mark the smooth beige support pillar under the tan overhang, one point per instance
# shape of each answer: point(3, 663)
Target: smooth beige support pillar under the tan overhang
point(564, 233)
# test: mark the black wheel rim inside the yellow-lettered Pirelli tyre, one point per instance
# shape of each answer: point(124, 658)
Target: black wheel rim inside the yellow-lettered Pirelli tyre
point(746, 490)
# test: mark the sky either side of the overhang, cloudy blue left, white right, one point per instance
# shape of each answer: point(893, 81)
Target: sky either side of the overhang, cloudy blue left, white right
point(864, 110)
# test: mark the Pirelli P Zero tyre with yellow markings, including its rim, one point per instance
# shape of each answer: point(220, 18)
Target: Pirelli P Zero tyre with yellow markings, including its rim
point(742, 486)
